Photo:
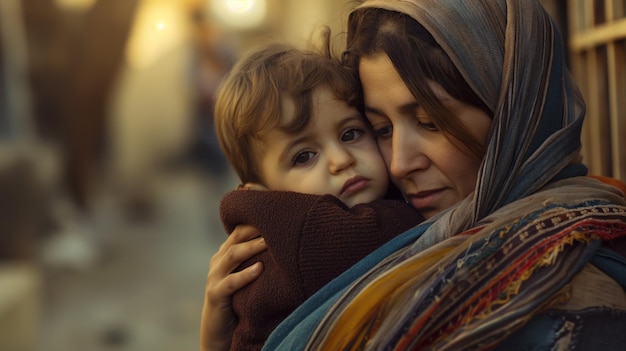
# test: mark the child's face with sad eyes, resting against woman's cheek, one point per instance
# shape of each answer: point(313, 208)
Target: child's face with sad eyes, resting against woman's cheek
point(335, 154)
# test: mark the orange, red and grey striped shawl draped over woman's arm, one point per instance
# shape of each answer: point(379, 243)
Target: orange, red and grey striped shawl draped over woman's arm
point(472, 290)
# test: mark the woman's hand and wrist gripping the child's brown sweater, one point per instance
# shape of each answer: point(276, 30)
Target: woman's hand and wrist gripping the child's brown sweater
point(218, 319)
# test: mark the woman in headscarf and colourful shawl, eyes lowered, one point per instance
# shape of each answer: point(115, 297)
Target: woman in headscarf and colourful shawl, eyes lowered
point(479, 125)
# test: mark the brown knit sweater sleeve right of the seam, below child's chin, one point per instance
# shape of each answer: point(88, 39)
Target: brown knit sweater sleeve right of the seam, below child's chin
point(334, 237)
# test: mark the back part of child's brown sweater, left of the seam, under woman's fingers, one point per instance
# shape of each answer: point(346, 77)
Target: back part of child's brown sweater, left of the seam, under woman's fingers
point(264, 303)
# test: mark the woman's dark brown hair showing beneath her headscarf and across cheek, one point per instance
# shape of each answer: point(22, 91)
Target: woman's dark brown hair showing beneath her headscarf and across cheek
point(417, 58)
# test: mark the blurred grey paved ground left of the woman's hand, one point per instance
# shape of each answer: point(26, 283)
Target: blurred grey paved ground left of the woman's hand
point(146, 293)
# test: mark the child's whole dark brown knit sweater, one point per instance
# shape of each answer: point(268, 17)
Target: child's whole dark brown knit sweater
point(311, 239)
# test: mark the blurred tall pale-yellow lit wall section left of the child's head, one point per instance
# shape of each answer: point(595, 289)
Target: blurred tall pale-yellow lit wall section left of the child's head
point(150, 112)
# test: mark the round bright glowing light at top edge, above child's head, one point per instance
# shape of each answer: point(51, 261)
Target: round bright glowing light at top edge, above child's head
point(239, 14)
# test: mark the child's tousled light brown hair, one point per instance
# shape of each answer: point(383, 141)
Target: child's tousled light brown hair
point(248, 102)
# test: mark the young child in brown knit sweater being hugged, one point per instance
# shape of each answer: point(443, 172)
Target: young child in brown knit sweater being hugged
point(288, 122)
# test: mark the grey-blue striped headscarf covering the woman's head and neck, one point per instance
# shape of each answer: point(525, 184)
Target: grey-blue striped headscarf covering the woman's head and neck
point(511, 53)
